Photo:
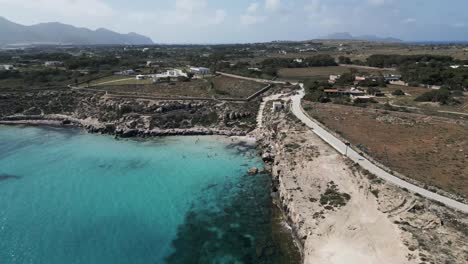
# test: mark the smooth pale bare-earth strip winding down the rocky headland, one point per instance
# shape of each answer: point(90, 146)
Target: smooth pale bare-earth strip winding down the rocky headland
point(358, 233)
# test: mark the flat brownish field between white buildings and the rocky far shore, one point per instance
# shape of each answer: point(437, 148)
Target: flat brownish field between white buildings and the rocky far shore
point(223, 87)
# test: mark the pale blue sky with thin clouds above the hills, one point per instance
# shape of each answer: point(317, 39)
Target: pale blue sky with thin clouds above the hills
point(241, 21)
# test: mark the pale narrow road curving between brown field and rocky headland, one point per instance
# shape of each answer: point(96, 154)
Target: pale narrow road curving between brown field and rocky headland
point(366, 164)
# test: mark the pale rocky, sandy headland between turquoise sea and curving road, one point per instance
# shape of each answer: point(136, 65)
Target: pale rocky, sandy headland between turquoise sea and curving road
point(379, 224)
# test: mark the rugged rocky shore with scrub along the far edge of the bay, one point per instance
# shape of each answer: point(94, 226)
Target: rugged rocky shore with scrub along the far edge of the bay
point(123, 117)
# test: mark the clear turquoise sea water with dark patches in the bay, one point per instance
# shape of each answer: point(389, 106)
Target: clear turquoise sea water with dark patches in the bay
point(71, 197)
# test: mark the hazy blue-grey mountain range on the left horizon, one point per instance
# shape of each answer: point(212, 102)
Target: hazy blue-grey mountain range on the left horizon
point(62, 34)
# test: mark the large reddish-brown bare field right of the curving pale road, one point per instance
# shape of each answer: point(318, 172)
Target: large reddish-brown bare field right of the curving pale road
point(432, 150)
